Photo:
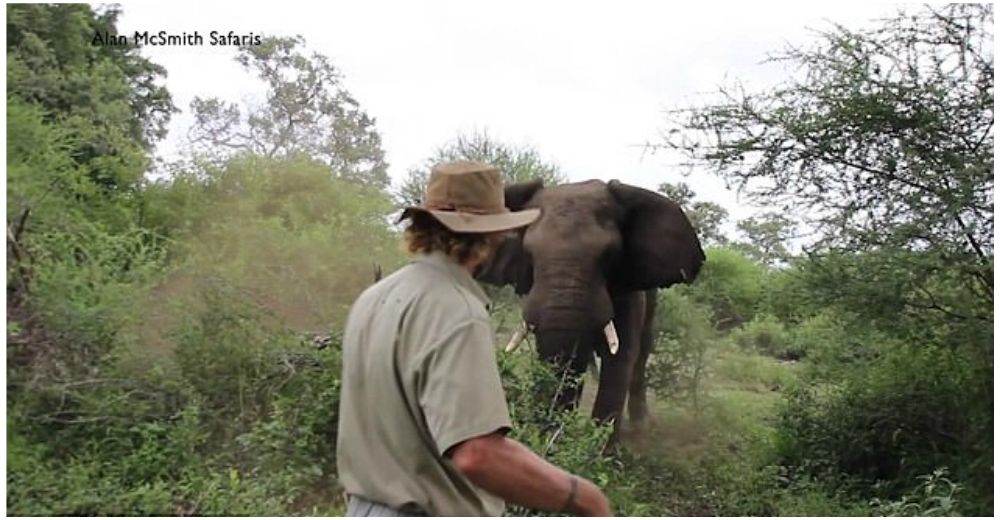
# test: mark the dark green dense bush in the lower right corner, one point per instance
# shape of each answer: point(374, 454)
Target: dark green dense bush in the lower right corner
point(903, 415)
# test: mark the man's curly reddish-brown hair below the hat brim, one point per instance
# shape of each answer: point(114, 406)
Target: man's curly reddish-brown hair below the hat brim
point(425, 235)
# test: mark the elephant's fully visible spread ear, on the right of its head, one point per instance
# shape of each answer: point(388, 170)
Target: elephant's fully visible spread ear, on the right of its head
point(659, 245)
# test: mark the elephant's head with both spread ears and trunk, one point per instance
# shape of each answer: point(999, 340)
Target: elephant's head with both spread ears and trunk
point(593, 241)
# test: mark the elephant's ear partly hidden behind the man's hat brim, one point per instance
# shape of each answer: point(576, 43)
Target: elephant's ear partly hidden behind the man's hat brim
point(510, 264)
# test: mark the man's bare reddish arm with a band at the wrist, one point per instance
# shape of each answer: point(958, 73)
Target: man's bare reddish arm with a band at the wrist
point(514, 473)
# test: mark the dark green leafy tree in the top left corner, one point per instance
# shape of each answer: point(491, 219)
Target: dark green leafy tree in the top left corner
point(106, 98)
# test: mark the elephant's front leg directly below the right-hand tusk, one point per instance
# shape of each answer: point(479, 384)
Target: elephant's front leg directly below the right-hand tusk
point(617, 369)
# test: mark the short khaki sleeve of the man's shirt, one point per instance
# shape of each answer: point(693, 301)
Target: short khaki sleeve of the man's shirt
point(460, 392)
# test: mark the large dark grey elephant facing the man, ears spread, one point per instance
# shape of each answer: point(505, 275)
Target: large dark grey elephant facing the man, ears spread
point(598, 252)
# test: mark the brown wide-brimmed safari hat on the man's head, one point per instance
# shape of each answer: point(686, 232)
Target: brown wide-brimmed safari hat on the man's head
point(467, 197)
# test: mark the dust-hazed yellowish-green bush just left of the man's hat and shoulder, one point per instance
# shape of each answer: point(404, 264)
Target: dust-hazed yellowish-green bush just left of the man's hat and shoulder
point(296, 240)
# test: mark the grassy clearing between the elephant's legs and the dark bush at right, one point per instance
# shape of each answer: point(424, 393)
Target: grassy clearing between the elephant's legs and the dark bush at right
point(715, 459)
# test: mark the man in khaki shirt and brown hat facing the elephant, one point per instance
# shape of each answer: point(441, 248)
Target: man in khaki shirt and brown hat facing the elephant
point(423, 415)
